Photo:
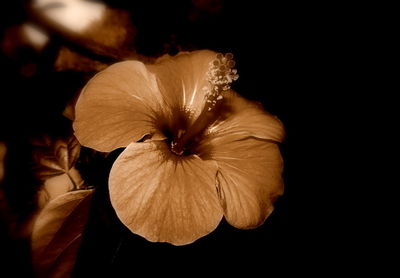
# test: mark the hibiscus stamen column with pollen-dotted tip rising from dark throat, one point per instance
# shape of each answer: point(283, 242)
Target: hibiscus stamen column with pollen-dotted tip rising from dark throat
point(220, 76)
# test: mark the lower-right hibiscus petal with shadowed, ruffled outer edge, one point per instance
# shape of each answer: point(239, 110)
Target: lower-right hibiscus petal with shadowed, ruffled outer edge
point(249, 177)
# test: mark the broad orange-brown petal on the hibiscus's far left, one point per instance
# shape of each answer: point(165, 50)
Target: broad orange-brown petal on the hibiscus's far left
point(118, 106)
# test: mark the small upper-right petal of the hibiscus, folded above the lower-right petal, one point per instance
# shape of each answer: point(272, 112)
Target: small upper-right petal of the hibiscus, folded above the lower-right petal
point(248, 119)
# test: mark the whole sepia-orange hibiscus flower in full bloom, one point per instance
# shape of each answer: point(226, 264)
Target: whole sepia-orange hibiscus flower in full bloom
point(195, 151)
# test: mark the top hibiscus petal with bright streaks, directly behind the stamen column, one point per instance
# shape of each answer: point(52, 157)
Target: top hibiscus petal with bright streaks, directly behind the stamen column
point(182, 78)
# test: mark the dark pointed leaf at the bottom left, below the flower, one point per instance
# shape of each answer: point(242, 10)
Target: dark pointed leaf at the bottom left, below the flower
point(57, 233)
